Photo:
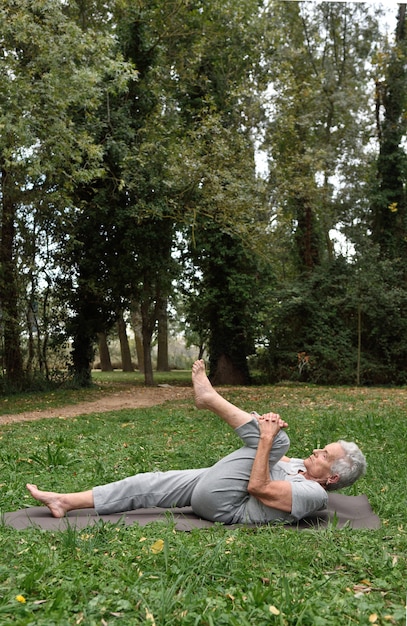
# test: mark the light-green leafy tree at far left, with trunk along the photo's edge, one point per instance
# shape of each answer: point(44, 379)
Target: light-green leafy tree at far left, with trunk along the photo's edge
point(39, 146)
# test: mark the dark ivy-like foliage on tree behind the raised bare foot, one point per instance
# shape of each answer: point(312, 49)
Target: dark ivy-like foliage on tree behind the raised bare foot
point(224, 296)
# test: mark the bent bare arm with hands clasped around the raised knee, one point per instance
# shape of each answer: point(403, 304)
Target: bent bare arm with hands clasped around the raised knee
point(274, 493)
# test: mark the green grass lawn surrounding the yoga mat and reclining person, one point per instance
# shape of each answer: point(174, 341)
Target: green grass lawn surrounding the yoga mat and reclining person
point(220, 576)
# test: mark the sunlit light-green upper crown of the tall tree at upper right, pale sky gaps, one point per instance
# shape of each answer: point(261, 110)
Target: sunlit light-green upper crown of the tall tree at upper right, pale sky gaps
point(317, 133)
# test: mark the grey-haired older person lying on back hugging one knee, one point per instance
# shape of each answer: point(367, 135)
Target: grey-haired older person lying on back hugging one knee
point(256, 484)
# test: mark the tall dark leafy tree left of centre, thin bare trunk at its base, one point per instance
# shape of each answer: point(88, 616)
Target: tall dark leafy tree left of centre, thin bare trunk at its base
point(131, 200)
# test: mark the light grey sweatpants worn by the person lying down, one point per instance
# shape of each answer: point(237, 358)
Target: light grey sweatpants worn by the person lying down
point(218, 493)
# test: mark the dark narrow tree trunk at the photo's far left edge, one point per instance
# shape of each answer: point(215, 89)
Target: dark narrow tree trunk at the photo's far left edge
point(13, 360)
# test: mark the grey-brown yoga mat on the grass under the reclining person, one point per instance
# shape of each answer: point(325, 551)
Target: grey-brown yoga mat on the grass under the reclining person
point(352, 511)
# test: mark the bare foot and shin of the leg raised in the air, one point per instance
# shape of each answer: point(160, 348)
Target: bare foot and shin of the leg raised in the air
point(206, 397)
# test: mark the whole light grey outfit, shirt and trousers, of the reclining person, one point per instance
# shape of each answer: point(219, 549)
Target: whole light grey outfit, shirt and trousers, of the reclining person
point(218, 493)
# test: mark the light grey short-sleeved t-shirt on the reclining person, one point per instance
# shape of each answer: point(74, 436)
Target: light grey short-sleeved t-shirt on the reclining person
point(308, 496)
